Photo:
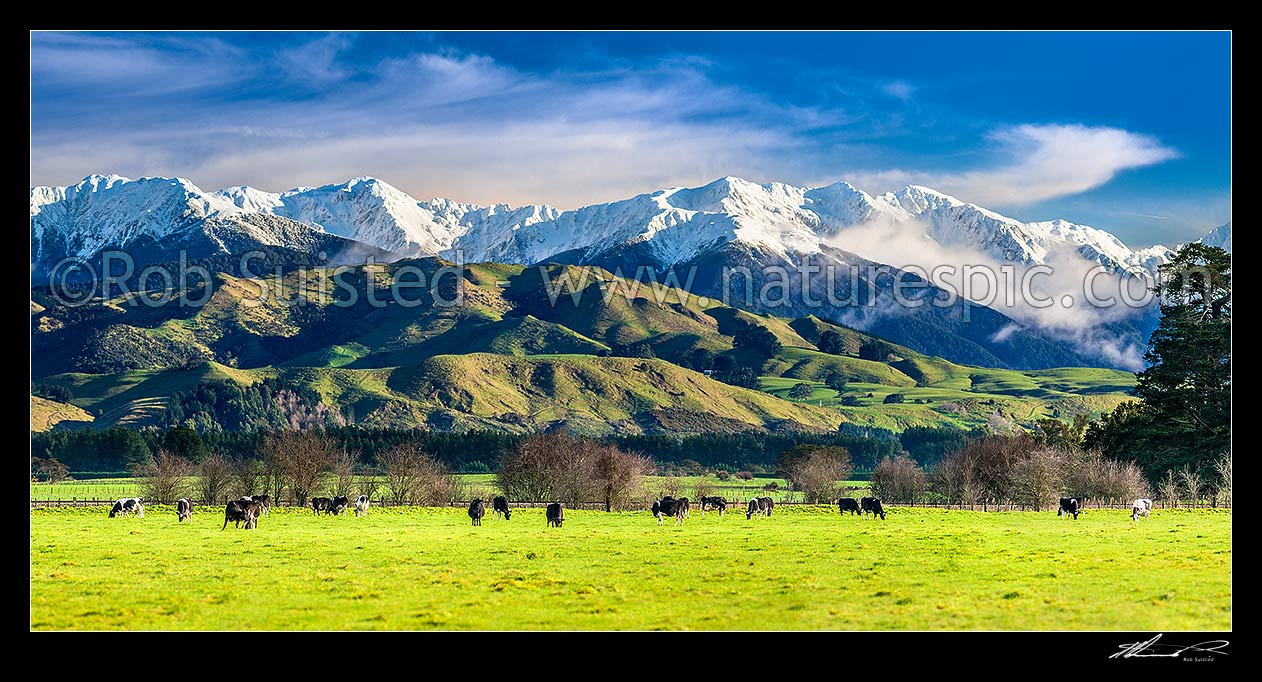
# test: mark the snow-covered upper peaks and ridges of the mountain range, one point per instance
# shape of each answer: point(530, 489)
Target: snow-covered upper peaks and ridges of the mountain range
point(672, 225)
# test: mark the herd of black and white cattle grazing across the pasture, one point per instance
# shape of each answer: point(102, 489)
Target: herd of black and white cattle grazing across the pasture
point(249, 508)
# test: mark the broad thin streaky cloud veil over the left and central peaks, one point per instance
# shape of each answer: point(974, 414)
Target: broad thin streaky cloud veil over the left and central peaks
point(436, 124)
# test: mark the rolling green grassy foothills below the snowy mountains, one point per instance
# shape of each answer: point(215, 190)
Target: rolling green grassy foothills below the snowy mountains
point(508, 358)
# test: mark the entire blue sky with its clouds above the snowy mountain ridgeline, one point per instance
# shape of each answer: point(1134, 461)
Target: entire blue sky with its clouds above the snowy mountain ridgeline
point(1129, 132)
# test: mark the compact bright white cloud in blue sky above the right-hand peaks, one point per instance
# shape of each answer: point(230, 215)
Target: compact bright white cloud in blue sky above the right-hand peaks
point(1035, 164)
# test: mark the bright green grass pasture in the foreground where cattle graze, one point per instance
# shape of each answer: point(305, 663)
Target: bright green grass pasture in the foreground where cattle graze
point(801, 569)
